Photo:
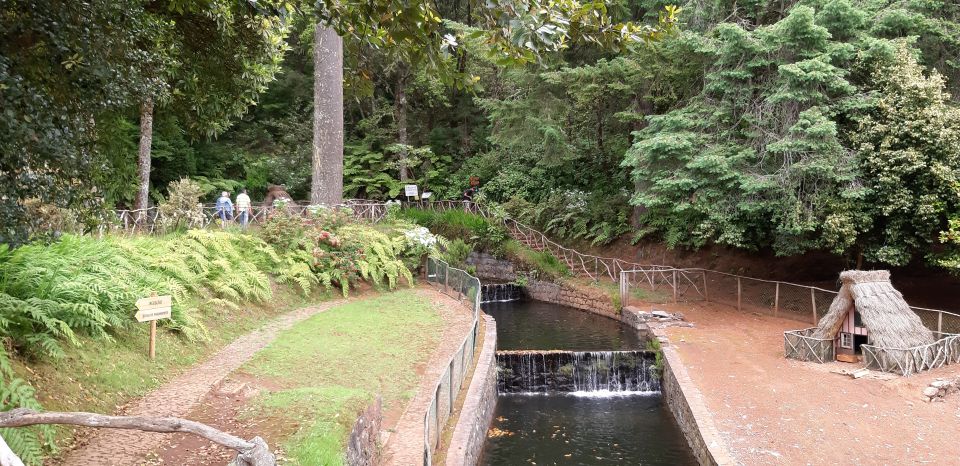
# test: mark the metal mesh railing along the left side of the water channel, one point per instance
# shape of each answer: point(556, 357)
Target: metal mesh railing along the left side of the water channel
point(458, 284)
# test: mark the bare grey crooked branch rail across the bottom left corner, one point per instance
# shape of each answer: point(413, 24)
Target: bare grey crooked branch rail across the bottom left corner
point(250, 452)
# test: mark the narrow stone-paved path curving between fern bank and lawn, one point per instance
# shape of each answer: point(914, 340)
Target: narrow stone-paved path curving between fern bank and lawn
point(179, 396)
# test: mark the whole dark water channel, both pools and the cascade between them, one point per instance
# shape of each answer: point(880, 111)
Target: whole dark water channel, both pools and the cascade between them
point(586, 427)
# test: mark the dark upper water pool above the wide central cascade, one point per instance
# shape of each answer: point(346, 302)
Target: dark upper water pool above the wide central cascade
point(544, 326)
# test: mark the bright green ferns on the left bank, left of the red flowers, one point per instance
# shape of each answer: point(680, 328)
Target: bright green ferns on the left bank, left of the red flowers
point(79, 287)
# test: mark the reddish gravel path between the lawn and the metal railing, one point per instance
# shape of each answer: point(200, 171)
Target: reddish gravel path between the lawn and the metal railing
point(405, 445)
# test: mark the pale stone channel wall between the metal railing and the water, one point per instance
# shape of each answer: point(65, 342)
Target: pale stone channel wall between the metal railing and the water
point(470, 433)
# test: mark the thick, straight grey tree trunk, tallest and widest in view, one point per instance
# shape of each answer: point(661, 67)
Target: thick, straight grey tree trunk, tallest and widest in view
point(326, 186)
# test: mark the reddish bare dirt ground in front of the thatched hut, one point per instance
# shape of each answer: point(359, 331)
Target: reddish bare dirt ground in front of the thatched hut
point(771, 410)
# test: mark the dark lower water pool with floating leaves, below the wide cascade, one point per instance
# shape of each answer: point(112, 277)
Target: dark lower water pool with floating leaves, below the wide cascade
point(568, 429)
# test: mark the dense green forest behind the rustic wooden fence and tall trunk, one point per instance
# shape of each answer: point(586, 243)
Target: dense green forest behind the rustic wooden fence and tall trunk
point(790, 126)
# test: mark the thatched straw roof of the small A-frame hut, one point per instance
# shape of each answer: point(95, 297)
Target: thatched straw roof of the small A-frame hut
point(888, 318)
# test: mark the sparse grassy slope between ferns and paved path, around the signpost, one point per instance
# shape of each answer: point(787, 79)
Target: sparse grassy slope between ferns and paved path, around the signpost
point(101, 376)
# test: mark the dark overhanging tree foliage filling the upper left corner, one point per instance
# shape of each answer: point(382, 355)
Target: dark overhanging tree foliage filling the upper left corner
point(68, 73)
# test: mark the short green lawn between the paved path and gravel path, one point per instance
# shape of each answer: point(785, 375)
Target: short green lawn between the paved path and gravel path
point(328, 367)
